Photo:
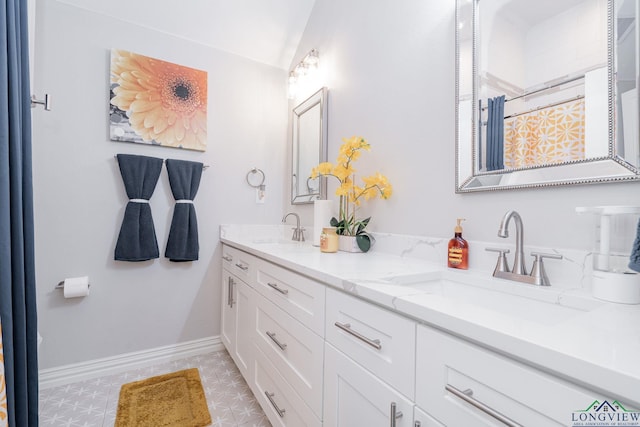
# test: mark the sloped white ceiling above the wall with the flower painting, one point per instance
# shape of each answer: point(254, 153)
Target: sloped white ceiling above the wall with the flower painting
point(266, 31)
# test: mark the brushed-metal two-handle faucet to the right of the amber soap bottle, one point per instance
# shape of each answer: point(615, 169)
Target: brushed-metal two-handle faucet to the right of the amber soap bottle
point(518, 273)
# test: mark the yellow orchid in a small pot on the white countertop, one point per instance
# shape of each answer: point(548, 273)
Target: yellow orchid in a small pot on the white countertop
point(351, 230)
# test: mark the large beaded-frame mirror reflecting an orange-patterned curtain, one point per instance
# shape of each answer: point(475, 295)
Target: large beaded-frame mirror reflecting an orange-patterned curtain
point(536, 99)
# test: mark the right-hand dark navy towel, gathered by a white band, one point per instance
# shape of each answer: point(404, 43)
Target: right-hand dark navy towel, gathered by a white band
point(184, 178)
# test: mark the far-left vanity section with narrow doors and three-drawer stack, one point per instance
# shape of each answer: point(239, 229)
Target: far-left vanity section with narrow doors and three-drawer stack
point(279, 348)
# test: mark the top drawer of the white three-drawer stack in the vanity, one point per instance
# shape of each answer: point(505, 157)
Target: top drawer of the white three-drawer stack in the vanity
point(297, 295)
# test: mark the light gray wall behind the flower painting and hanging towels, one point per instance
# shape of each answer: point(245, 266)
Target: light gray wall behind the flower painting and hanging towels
point(80, 199)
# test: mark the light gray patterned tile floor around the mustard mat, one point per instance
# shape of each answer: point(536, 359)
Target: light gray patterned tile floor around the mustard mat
point(95, 402)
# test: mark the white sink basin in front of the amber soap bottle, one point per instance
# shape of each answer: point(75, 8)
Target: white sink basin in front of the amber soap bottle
point(543, 305)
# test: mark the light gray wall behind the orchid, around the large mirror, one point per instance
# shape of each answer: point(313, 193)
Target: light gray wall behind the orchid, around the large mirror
point(390, 70)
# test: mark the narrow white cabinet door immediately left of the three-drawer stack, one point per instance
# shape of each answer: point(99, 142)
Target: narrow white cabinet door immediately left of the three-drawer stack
point(245, 324)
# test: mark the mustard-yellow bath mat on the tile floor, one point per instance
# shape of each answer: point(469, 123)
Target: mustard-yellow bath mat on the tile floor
point(172, 400)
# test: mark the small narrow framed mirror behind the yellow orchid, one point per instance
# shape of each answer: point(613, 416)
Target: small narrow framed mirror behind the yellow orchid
point(309, 148)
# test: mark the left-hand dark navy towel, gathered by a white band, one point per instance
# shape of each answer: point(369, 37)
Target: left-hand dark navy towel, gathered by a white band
point(137, 238)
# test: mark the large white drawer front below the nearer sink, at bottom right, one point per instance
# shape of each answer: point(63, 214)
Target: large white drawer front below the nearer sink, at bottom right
point(523, 394)
